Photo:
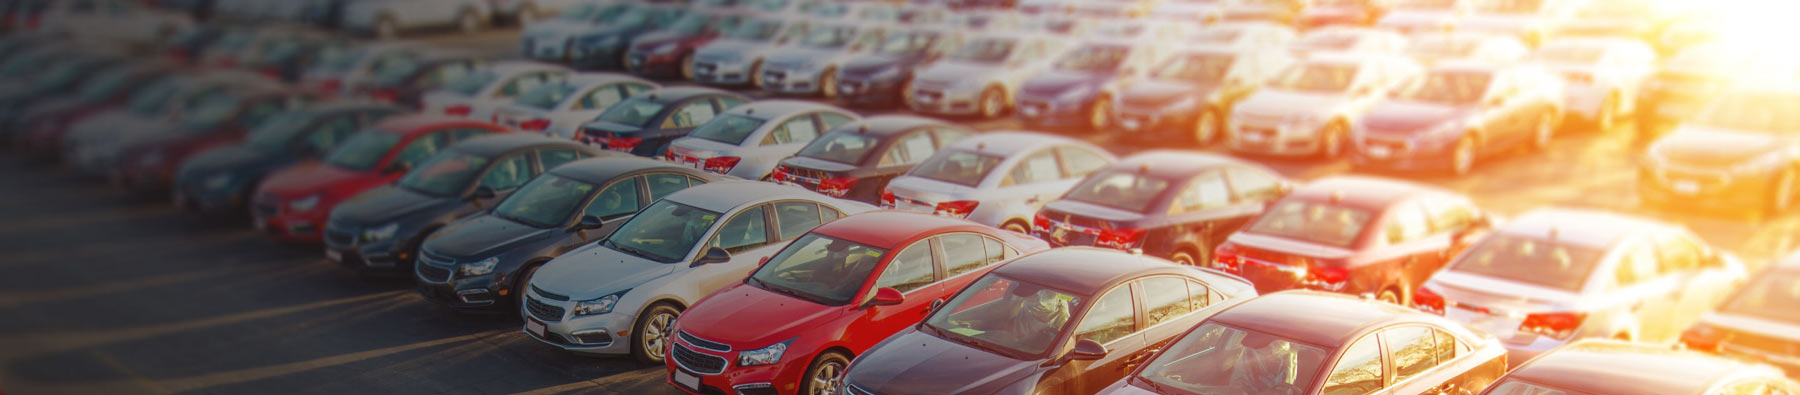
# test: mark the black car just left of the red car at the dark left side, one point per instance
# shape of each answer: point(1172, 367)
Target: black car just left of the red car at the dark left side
point(220, 181)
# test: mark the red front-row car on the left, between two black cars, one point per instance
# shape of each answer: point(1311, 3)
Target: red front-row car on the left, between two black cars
point(292, 205)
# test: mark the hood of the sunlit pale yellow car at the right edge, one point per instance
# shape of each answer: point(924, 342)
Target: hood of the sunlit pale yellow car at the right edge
point(1713, 149)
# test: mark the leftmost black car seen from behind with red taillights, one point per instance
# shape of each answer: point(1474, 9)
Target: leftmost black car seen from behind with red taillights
point(647, 124)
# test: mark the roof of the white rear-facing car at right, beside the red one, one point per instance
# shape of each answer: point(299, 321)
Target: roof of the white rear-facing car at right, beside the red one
point(1597, 230)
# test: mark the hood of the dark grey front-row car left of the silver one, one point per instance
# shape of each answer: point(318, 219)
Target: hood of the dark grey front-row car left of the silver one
point(483, 235)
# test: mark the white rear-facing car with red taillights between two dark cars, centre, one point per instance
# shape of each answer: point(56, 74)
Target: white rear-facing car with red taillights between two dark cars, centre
point(1000, 179)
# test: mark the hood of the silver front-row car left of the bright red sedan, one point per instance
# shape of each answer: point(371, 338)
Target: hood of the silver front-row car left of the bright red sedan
point(597, 271)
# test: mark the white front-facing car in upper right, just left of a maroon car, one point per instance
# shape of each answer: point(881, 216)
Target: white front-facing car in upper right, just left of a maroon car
point(1311, 107)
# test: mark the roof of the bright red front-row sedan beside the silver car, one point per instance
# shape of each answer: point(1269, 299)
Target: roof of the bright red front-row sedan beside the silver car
point(888, 230)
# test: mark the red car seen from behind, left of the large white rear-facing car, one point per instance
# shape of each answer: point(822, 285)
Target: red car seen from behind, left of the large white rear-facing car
point(1354, 235)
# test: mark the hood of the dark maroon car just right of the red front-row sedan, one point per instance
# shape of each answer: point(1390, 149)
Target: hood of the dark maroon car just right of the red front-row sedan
point(921, 363)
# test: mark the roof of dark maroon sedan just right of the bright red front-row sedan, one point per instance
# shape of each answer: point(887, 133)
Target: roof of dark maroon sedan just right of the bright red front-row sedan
point(1086, 270)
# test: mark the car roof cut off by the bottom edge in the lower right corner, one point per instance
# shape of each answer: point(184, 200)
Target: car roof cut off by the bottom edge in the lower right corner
point(1596, 365)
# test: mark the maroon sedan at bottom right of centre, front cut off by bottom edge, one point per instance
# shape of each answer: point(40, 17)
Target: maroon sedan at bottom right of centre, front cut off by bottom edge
point(1320, 344)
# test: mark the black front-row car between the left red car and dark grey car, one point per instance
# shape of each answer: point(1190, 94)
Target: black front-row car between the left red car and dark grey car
point(381, 230)
